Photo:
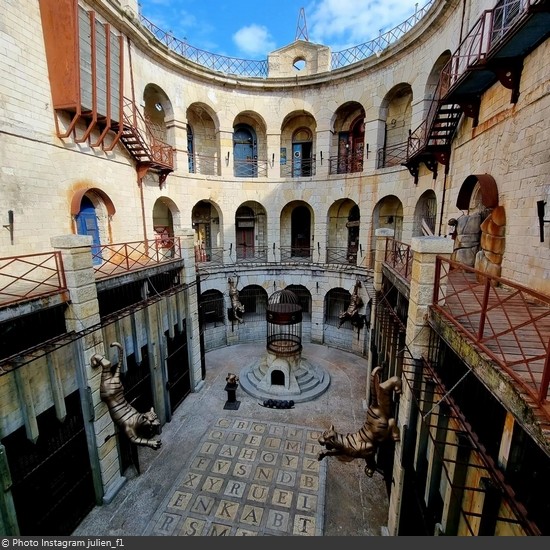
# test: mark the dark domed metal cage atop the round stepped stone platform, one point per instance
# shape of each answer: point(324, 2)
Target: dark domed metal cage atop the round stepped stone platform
point(284, 323)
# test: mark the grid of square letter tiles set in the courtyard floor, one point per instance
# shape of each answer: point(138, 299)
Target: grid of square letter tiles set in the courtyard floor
point(247, 478)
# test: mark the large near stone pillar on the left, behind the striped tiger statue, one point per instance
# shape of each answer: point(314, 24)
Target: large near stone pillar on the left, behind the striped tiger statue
point(83, 313)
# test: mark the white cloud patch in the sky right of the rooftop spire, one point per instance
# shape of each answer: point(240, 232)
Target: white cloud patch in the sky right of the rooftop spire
point(352, 22)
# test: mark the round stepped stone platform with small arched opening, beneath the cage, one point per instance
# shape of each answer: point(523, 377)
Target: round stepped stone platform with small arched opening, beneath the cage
point(292, 377)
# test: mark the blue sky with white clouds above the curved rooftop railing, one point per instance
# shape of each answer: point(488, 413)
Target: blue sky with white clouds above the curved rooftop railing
point(250, 29)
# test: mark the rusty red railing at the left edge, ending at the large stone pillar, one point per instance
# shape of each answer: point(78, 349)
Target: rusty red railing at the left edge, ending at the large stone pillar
point(31, 276)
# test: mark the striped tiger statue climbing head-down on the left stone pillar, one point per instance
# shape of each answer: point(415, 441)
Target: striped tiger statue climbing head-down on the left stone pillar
point(138, 427)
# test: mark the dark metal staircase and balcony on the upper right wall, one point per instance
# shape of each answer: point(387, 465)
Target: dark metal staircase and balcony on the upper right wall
point(493, 50)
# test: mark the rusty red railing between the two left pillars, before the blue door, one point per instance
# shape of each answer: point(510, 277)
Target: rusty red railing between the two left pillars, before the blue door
point(115, 259)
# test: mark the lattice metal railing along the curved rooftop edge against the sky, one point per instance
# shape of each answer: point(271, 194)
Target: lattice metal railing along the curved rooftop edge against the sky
point(260, 69)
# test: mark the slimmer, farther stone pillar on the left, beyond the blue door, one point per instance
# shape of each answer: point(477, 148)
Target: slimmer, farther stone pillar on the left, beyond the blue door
point(189, 277)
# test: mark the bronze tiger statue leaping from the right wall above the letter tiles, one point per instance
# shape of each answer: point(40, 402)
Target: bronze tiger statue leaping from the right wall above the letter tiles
point(378, 427)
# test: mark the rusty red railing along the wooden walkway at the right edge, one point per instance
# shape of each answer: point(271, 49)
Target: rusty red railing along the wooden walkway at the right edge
point(508, 322)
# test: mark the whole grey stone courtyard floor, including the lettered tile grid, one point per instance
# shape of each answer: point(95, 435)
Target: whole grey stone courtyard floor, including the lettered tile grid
point(252, 470)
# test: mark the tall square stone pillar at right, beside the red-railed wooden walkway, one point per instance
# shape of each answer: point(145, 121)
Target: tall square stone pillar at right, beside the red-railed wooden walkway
point(424, 251)
